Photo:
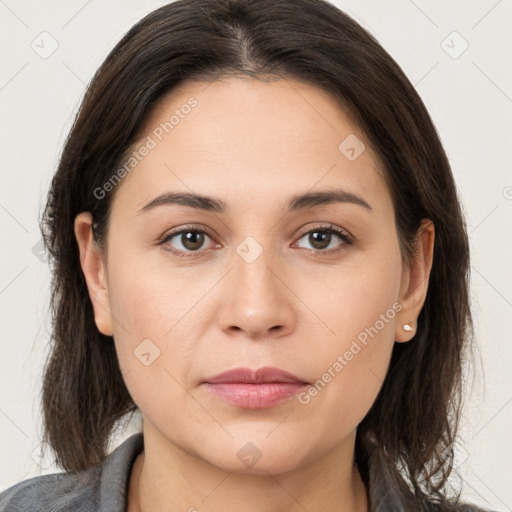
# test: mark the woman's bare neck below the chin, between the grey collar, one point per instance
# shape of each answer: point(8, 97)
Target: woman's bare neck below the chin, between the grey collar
point(173, 480)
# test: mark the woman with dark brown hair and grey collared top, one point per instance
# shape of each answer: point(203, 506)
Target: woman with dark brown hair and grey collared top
point(256, 243)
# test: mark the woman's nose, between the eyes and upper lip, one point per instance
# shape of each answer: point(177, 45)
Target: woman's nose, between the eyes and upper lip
point(257, 298)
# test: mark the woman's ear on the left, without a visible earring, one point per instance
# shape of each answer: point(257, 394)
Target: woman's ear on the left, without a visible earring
point(91, 261)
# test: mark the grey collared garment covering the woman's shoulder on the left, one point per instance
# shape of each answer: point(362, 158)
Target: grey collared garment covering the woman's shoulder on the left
point(101, 487)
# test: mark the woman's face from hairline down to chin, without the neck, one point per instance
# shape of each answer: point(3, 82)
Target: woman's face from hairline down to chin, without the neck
point(260, 282)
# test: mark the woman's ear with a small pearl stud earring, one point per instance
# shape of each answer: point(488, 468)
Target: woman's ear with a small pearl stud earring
point(413, 290)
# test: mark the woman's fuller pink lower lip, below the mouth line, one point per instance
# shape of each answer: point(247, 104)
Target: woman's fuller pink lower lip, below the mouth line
point(256, 396)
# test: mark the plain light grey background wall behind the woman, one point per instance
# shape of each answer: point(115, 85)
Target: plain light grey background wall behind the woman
point(469, 98)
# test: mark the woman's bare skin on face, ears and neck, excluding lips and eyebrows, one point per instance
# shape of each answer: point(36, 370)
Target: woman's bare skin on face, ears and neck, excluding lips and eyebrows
point(253, 145)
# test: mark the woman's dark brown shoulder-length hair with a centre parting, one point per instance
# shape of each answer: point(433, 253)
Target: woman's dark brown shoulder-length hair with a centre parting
point(403, 443)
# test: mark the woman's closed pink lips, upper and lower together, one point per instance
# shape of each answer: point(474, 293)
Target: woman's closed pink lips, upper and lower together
point(255, 389)
